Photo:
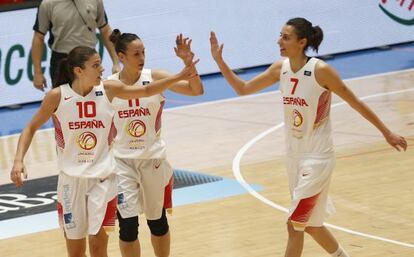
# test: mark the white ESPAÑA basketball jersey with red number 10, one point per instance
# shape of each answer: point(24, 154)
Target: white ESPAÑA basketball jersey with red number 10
point(84, 132)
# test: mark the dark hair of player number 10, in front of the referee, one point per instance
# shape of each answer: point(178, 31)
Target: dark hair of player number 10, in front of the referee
point(76, 58)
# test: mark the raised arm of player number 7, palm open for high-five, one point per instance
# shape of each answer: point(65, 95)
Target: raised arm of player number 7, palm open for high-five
point(270, 76)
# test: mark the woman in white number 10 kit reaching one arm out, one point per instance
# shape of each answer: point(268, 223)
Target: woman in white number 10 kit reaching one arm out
point(83, 117)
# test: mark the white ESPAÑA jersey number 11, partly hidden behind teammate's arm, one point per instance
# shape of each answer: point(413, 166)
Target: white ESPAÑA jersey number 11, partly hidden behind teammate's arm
point(138, 123)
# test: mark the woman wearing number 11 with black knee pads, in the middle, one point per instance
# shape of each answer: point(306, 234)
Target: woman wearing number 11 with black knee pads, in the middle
point(144, 175)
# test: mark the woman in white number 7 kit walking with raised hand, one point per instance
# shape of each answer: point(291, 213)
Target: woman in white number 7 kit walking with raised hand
point(306, 84)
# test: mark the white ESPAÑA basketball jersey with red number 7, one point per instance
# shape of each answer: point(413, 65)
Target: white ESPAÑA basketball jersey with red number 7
point(306, 107)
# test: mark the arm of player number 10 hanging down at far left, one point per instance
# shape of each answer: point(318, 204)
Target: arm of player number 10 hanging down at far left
point(47, 108)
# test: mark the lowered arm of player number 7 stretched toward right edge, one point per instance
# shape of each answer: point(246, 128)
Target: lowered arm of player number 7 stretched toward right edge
point(327, 77)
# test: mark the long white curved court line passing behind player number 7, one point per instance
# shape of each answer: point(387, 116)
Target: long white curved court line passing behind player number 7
point(243, 183)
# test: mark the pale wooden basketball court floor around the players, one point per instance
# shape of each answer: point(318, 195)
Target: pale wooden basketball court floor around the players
point(372, 186)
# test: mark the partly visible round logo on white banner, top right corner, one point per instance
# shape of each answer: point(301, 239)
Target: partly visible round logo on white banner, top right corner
point(398, 10)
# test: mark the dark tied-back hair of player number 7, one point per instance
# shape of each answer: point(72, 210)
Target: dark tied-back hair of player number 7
point(304, 29)
